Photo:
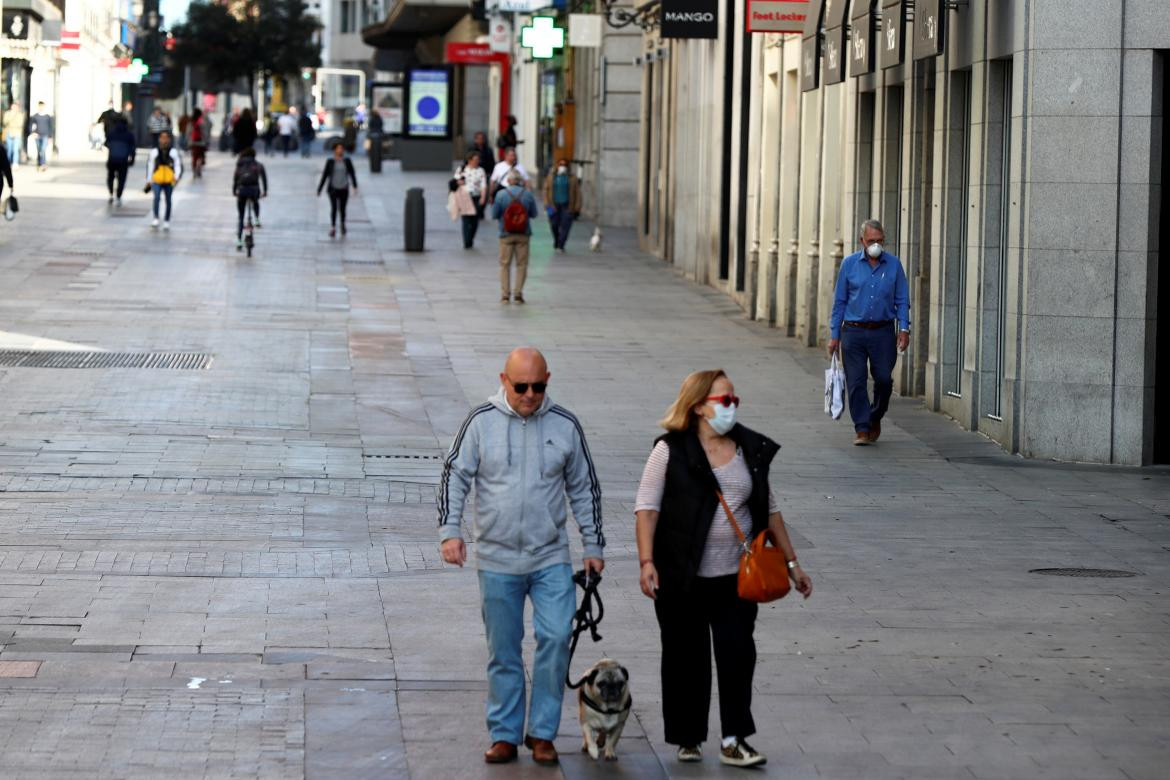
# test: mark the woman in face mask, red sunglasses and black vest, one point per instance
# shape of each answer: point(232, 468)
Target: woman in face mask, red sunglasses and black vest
point(690, 558)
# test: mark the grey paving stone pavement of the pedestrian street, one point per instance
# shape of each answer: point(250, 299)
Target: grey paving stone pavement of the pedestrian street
point(233, 572)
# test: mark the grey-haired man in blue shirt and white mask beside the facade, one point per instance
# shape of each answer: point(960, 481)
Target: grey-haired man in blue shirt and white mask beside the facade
point(872, 294)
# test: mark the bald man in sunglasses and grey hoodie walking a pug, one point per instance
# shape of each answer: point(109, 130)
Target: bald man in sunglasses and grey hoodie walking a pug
point(525, 455)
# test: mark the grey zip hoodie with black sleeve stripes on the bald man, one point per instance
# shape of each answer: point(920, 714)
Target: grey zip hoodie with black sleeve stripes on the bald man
point(522, 471)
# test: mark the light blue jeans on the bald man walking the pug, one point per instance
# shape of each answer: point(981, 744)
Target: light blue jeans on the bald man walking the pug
point(554, 604)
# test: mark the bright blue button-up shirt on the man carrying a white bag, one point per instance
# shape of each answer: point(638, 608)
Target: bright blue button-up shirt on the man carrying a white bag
point(872, 295)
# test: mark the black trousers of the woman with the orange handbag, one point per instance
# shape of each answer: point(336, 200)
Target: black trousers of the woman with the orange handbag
point(712, 612)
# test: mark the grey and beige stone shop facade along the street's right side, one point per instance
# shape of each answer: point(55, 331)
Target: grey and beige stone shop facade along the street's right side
point(1020, 180)
